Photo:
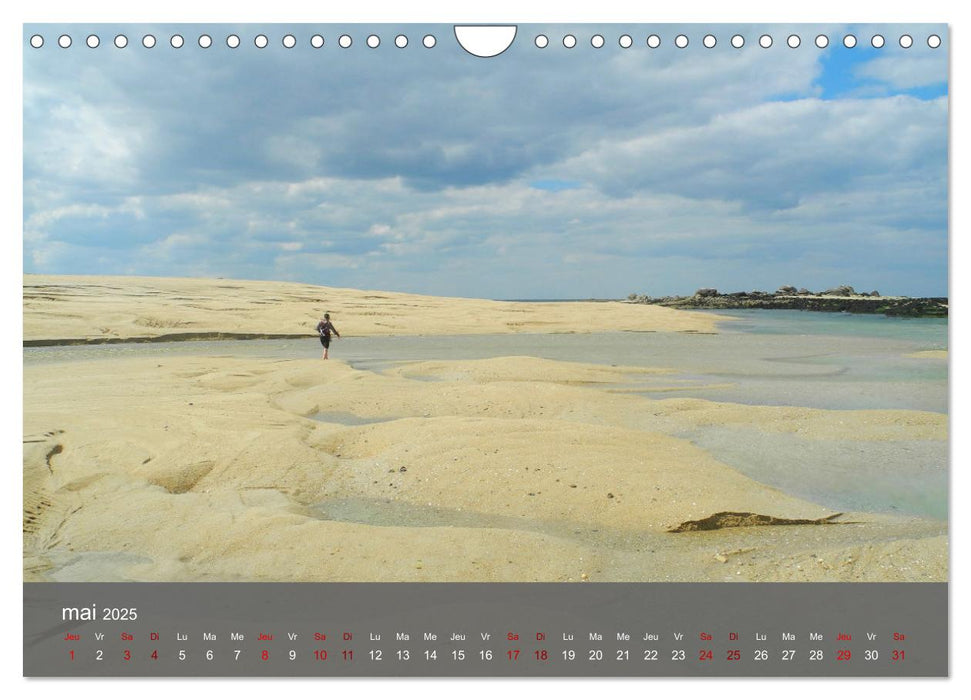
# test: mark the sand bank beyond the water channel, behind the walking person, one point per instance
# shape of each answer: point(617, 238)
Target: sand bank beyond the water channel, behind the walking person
point(92, 309)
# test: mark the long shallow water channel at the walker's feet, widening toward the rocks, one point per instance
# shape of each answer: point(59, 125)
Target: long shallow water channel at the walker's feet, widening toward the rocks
point(767, 365)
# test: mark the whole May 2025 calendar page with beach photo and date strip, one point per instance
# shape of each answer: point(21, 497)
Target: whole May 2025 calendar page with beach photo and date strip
point(460, 350)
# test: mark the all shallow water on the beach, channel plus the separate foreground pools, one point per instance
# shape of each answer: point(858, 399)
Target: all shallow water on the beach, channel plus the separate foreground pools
point(796, 358)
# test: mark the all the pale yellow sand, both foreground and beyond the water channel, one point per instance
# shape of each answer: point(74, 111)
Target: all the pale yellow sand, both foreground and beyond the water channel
point(217, 467)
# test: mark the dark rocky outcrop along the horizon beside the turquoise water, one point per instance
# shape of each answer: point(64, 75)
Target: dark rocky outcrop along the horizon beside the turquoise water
point(838, 299)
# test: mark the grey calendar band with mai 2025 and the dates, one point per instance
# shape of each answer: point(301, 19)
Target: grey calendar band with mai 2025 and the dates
point(375, 629)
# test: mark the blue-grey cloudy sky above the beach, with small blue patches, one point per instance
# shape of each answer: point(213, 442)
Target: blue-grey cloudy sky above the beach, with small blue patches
point(540, 173)
